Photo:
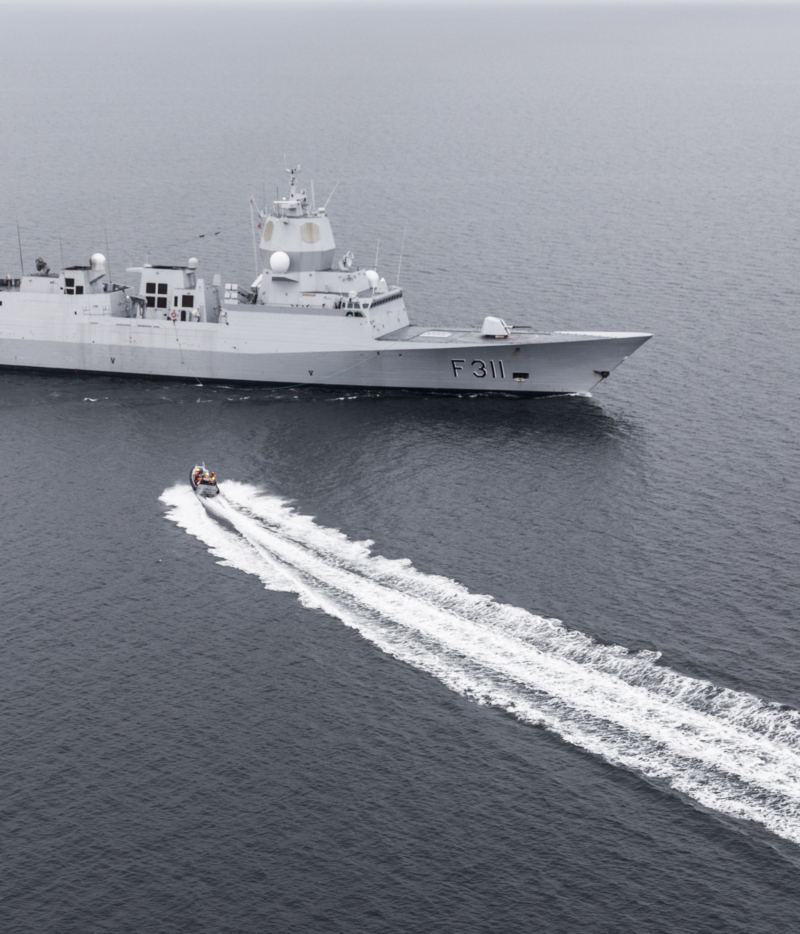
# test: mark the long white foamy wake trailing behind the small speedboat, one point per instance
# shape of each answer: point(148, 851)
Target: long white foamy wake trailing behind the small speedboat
point(728, 750)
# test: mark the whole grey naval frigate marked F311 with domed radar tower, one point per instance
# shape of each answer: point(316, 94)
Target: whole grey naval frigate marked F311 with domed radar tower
point(308, 319)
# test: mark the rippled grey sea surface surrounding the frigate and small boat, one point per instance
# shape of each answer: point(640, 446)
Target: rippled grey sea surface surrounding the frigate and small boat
point(434, 663)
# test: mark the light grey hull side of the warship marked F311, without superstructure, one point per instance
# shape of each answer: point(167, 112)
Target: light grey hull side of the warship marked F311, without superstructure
point(249, 351)
